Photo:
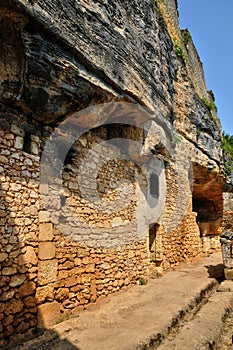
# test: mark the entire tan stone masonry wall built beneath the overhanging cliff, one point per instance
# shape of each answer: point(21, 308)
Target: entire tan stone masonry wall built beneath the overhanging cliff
point(46, 273)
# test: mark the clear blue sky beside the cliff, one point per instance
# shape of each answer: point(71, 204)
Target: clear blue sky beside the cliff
point(210, 23)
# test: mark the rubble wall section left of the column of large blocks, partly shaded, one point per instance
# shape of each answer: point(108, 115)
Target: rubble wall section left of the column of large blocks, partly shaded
point(19, 231)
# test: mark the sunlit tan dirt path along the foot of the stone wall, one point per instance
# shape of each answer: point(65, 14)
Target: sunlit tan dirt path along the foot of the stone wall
point(139, 317)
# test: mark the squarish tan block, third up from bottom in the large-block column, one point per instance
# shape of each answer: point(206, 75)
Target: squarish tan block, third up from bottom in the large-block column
point(47, 271)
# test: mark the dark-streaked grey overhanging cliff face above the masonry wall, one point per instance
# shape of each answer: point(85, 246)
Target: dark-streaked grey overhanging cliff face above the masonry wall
point(63, 60)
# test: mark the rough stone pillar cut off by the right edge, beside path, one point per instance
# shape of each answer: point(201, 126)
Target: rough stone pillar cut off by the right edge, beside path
point(226, 240)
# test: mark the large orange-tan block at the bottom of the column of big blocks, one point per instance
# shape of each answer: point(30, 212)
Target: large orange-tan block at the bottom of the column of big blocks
point(48, 314)
